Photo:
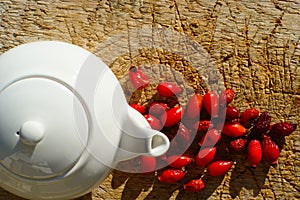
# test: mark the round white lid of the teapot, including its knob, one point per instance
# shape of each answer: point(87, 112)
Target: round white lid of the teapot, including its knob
point(43, 126)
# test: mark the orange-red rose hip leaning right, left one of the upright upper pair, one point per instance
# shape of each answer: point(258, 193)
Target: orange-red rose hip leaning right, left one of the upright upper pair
point(194, 106)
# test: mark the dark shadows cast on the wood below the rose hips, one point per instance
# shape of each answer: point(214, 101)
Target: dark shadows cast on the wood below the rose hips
point(240, 177)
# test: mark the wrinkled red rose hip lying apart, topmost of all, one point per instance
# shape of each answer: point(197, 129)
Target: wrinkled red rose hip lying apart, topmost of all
point(138, 78)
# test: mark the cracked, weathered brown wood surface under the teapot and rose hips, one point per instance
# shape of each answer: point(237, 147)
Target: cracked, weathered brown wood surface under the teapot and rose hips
point(254, 45)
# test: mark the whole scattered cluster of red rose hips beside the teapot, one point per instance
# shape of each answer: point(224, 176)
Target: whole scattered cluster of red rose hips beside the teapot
point(213, 118)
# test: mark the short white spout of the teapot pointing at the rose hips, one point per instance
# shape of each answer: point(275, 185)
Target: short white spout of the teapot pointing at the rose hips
point(139, 139)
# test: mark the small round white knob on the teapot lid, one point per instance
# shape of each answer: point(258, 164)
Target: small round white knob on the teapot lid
point(31, 132)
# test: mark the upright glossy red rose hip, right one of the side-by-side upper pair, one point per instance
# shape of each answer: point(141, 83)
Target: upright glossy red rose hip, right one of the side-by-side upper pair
point(211, 103)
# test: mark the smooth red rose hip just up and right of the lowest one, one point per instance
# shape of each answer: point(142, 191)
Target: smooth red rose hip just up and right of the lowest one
point(219, 167)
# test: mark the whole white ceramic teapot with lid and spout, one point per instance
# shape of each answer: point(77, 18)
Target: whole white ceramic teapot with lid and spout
point(65, 122)
